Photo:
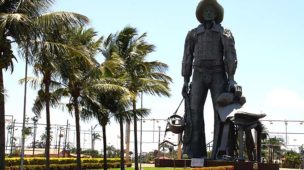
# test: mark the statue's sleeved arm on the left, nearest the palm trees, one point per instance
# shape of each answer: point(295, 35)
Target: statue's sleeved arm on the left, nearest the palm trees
point(188, 57)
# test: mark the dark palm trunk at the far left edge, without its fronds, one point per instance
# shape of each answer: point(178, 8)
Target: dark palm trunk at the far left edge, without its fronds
point(2, 123)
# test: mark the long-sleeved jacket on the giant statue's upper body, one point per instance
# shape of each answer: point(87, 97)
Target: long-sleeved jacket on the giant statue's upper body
point(208, 50)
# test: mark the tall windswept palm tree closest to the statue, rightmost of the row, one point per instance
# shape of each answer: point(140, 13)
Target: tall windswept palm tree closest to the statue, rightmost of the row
point(140, 75)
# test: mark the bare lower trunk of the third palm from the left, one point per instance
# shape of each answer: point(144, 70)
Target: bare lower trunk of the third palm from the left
point(78, 149)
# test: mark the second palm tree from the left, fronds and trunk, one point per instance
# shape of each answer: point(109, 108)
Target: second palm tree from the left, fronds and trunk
point(45, 64)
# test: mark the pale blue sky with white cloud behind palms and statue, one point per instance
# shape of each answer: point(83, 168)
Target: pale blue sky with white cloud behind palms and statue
point(268, 36)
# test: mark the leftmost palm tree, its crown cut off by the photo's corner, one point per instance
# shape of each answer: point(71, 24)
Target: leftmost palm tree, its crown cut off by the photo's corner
point(21, 22)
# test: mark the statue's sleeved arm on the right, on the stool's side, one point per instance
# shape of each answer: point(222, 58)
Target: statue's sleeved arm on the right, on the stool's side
point(230, 58)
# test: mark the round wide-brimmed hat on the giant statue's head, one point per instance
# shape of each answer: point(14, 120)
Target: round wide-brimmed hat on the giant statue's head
point(219, 10)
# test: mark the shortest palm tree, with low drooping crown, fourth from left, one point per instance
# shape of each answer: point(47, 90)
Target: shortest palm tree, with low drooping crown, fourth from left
point(100, 106)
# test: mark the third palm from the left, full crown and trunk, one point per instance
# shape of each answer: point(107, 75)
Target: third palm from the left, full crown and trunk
point(78, 73)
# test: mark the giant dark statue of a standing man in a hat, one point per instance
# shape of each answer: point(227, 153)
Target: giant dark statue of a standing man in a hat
point(210, 58)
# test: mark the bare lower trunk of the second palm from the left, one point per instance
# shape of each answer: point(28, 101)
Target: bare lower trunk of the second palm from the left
point(48, 126)
